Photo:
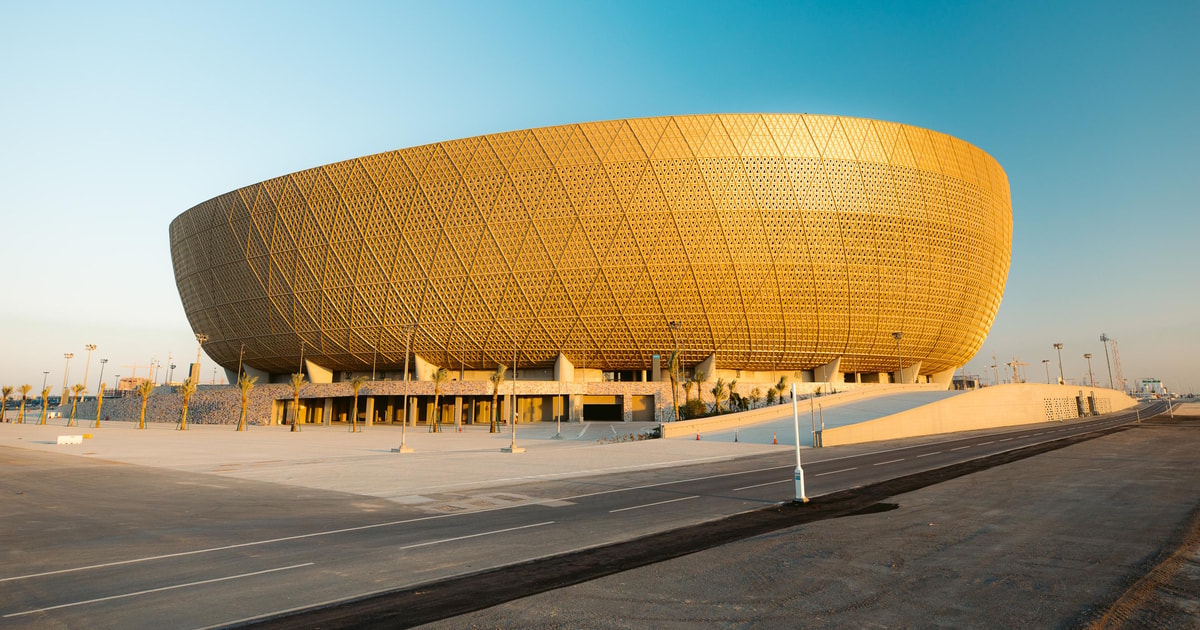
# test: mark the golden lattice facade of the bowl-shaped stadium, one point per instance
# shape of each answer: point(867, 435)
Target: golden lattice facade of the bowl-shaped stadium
point(779, 242)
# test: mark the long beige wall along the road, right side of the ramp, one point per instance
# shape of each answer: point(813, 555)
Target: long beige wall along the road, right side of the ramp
point(986, 409)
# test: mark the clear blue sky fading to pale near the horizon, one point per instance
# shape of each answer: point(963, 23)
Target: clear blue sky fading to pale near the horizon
point(117, 117)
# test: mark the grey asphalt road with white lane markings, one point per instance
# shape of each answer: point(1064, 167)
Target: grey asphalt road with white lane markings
point(103, 545)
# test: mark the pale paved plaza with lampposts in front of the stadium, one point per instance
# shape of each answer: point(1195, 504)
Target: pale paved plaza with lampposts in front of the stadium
point(363, 464)
